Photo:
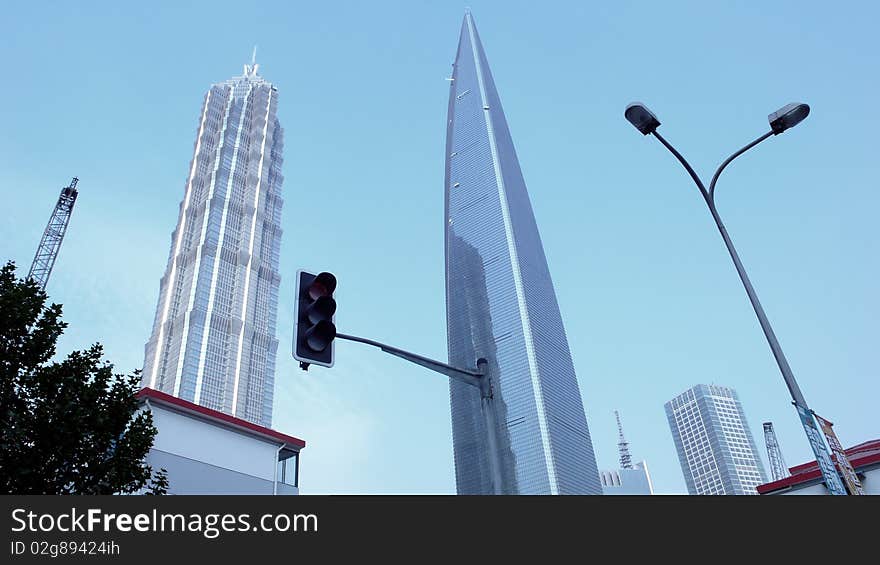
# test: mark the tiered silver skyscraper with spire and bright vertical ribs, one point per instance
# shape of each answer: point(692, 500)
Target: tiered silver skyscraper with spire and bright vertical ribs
point(213, 340)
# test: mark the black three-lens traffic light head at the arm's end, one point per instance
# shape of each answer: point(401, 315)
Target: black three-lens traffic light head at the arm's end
point(314, 314)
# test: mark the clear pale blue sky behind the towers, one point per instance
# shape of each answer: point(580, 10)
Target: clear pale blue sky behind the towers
point(110, 92)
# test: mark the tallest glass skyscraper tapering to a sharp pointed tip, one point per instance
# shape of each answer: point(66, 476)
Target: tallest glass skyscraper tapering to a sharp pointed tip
point(500, 304)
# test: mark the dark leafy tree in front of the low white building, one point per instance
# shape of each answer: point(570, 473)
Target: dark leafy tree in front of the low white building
point(66, 427)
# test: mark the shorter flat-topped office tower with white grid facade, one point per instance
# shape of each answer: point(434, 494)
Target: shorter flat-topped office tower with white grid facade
point(715, 446)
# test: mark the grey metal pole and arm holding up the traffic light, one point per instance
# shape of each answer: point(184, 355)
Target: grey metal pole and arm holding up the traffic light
point(480, 378)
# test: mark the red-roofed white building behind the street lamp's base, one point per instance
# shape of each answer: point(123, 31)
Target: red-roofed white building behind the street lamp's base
point(807, 479)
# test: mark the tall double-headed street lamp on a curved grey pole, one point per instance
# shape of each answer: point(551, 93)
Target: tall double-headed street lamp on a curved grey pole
point(785, 118)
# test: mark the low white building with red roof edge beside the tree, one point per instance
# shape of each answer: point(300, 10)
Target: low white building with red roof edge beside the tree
point(208, 452)
